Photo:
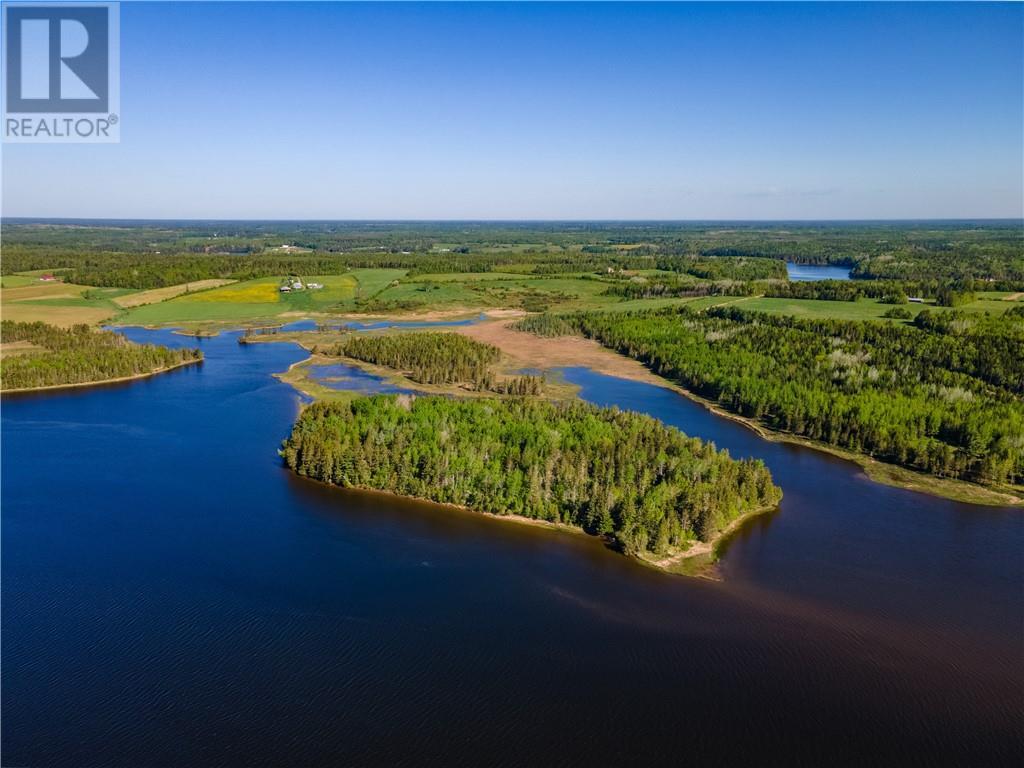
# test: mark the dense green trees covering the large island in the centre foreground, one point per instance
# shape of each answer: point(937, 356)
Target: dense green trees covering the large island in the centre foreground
point(610, 473)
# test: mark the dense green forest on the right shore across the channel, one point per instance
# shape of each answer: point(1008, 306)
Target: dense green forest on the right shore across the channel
point(943, 397)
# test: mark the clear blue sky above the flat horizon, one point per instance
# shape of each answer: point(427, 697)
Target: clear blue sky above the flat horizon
point(543, 111)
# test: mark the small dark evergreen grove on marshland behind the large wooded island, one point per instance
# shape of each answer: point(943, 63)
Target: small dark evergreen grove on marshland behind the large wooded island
point(426, 358)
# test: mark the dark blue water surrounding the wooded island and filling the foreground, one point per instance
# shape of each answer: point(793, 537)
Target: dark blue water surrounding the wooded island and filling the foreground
point(174, 596)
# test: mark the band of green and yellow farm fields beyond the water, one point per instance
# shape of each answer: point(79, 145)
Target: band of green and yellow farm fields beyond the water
point(393, 291)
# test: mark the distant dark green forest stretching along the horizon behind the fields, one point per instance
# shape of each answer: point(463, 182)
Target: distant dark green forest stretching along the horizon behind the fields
point(154, 254)
